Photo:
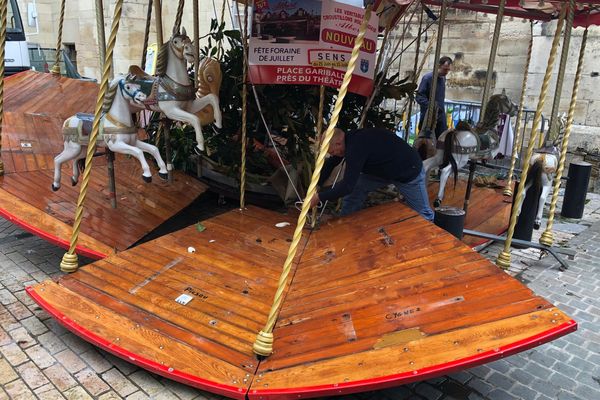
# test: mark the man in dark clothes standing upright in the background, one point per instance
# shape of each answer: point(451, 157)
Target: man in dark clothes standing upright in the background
point(422, 97)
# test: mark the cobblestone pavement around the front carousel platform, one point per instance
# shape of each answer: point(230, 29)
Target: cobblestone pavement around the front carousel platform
point(40, 359)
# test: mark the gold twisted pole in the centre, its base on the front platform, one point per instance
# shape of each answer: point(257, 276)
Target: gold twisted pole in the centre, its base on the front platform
point(263, 344)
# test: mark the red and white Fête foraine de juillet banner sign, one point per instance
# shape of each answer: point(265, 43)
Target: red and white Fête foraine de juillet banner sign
point(309, 42)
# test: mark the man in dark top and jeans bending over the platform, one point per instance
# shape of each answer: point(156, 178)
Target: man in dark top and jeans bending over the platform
point(374, 158)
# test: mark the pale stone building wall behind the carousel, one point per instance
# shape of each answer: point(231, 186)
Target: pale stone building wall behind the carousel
point(467, 39)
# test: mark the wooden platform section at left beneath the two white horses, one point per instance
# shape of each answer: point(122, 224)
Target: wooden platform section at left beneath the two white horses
point(35, 107)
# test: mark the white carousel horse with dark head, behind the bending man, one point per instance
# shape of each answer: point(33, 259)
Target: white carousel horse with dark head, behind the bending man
point(456, 147)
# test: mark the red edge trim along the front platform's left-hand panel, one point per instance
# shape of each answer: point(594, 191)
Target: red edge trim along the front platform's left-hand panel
point(153, 366)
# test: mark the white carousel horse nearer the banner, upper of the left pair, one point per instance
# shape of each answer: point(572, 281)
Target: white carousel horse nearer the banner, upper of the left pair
point(171, 91)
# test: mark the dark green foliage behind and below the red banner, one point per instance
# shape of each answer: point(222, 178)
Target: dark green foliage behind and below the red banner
point(290, 112)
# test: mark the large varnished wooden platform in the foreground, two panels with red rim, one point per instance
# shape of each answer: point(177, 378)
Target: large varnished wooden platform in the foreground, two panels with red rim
point(377, 299)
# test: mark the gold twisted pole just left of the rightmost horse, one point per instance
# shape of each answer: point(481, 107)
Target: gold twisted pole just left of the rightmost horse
point(504, 256)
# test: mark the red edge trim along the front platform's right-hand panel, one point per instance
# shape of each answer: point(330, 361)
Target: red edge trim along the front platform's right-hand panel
point(417, 375)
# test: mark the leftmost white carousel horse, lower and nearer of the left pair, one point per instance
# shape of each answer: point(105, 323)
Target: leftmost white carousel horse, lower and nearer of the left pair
point(117, 132)
